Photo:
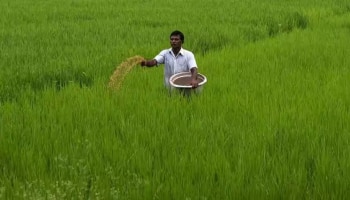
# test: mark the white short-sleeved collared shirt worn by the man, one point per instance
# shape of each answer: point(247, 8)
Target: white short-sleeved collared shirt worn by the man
point(183, 62)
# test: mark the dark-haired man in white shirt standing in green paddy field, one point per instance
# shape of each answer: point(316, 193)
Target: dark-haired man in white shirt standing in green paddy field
point(175, 60)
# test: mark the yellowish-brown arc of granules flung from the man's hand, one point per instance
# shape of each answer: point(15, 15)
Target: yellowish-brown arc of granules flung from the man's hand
point(115, 81)
